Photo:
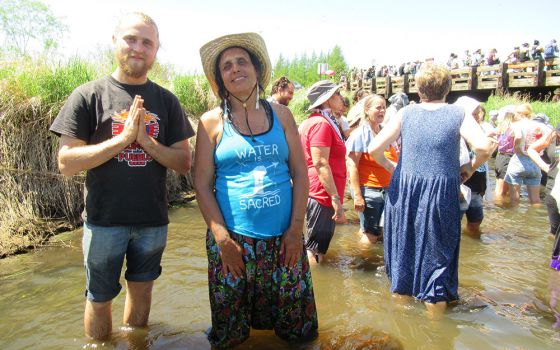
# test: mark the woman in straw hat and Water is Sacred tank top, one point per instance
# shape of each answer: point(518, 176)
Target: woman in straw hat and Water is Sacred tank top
point(251, 186)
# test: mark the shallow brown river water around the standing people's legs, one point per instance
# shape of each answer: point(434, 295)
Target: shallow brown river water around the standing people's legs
point(509, 297)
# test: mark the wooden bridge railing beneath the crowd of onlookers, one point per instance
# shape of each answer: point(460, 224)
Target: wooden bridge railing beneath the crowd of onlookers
point(505, 76)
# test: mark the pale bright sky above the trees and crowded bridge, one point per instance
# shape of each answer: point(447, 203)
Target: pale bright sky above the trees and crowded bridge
point(367, 31)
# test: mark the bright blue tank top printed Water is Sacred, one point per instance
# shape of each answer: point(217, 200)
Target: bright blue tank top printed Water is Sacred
point(253, 183)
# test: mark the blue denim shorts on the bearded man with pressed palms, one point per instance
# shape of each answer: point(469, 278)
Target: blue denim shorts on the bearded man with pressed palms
point(105, 249)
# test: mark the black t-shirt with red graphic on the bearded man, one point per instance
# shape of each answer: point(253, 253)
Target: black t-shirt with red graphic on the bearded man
point(129, 189)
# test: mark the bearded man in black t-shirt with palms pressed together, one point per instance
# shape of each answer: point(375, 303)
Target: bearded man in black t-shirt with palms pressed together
point(125, 131)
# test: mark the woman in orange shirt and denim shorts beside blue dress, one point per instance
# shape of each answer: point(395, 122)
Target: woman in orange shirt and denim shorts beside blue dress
point(368, 179)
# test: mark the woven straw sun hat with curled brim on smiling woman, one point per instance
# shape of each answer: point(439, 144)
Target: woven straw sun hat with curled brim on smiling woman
point(251, 42)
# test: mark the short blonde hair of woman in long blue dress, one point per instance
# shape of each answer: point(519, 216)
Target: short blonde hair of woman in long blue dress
point(433, 82)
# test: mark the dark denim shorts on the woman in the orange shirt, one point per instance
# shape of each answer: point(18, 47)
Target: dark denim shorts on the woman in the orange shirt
point(370, 218)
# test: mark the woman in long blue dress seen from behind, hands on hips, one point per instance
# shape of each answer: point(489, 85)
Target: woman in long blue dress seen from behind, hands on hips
point(422, 217)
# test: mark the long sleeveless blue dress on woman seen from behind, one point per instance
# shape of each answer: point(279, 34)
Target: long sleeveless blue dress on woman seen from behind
point(422, 217)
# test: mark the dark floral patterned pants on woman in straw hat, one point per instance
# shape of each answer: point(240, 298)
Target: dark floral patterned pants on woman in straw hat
point(270, 296)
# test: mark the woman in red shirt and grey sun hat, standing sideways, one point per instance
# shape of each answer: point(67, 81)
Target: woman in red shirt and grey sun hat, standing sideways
point(323, 144)
